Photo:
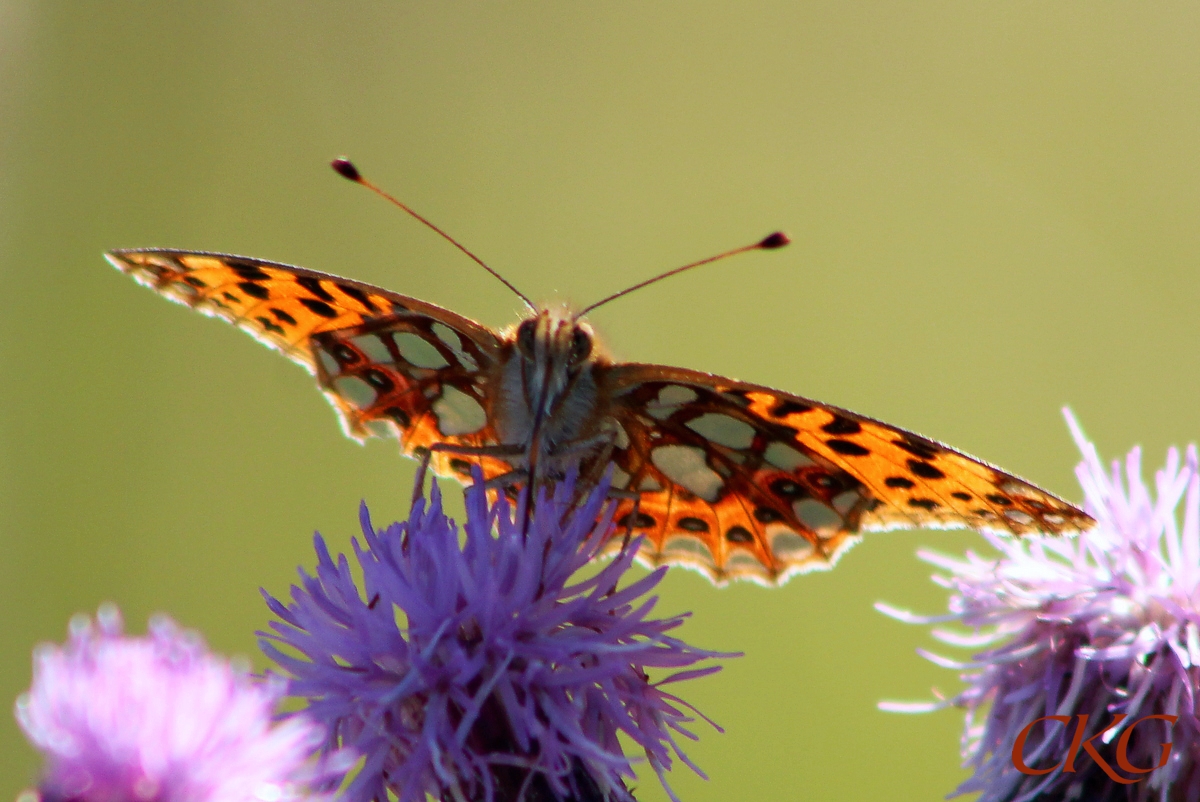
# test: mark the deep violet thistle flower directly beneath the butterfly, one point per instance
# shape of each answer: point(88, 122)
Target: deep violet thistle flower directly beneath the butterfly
point(482, 671)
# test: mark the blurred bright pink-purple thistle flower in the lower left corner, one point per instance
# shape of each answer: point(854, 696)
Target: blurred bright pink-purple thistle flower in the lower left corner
point(161, 720)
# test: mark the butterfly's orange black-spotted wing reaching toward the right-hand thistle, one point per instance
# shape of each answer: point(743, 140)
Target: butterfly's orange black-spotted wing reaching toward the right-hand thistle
point(743, 482)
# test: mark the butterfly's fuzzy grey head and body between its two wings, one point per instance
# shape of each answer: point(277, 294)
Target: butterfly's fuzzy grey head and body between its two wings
point(548, 398)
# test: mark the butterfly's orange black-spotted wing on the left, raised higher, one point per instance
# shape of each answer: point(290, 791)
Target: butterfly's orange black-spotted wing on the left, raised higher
point(388, 363)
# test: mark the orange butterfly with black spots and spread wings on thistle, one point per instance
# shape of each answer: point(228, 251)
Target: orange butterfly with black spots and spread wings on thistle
point(734, 480)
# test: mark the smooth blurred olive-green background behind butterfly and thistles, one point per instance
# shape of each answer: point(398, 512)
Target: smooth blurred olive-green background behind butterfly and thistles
point(994, 210)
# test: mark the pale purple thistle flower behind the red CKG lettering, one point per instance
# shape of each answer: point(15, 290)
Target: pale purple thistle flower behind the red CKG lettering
point(1105, 626)
